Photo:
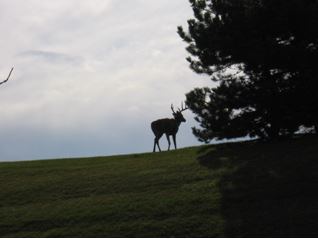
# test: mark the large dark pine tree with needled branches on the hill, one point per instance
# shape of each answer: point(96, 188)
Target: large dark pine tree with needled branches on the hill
point(263, 55)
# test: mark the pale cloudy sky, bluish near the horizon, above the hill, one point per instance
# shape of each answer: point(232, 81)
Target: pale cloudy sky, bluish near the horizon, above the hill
point(90, 76)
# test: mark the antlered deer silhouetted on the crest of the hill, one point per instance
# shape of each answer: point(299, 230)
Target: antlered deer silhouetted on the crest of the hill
point(168, 127)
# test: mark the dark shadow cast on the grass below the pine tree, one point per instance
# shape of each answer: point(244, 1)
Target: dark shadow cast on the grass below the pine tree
point(268, 189)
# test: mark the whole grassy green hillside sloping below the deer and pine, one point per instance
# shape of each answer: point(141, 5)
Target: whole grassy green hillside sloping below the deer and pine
point(248, 189)
